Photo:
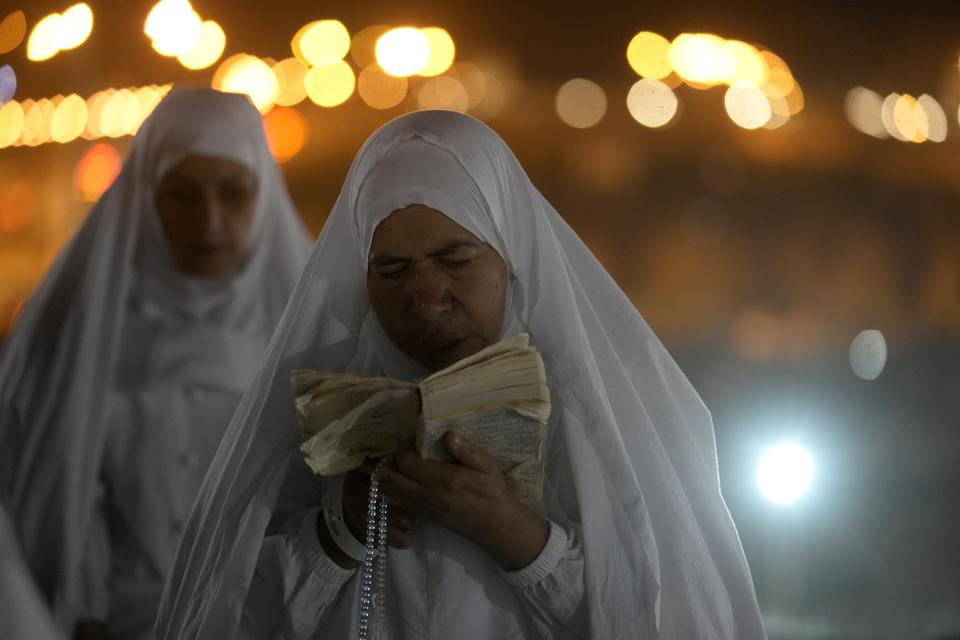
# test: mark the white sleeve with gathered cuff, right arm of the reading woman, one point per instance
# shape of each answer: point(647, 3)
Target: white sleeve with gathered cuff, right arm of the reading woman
point(551, 587)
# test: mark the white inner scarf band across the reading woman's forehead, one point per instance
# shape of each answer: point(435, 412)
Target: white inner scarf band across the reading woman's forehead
point(419, 172)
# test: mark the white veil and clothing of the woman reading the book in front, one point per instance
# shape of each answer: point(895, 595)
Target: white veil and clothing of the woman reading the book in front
point(633, 468)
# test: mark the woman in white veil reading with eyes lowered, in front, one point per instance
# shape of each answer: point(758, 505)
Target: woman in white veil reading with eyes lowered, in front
point(438, 246)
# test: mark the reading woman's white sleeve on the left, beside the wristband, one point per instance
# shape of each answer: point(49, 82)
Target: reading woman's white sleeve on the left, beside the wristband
point(294, 586)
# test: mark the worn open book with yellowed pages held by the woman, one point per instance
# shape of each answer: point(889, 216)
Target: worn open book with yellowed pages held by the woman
point(498, 398)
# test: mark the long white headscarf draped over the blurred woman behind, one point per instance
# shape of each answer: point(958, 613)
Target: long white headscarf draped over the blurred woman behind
point(59, 364)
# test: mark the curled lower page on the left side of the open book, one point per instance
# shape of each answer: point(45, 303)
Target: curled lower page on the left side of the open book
point(374, 427)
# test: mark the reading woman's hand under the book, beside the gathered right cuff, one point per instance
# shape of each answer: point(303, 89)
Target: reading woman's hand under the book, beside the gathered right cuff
point(469, 497)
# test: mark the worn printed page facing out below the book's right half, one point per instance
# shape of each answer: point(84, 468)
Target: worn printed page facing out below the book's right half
point(515, 441)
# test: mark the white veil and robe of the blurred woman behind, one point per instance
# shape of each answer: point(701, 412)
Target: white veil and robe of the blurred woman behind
point(112, 342)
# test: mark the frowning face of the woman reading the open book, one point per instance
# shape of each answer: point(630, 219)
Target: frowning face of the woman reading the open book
point(437, 289)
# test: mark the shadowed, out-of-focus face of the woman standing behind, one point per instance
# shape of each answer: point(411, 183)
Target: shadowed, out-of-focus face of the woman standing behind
point(206, 208)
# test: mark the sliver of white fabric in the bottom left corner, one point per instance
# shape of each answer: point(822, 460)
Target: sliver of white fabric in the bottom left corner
point(22, 611)
